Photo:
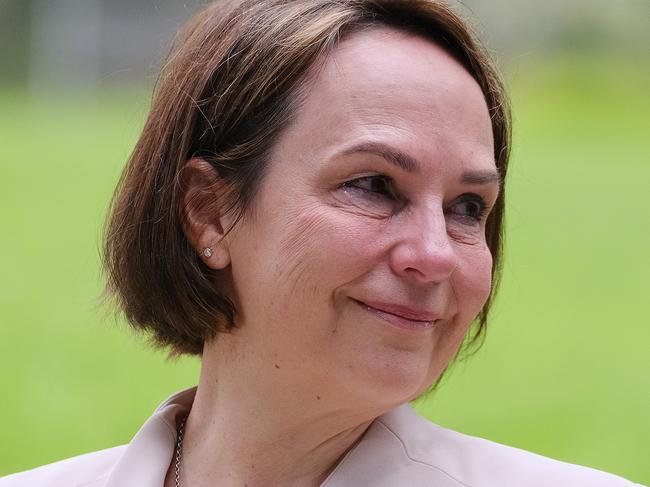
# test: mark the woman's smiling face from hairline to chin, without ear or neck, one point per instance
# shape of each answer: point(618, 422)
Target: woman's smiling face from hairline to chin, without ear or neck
point(364, 259)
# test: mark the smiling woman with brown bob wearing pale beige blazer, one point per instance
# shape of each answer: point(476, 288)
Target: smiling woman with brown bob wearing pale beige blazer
point(315, 207)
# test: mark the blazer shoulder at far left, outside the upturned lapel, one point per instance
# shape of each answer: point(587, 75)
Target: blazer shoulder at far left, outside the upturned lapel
point(89, 470)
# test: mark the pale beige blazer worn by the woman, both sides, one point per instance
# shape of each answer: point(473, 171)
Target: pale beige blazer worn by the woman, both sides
point(400, 449)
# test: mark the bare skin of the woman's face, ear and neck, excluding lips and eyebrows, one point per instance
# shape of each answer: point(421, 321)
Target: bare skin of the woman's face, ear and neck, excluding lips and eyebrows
point(282, 398)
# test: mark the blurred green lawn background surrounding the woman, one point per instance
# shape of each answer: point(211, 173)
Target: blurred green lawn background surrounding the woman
point(565, 370)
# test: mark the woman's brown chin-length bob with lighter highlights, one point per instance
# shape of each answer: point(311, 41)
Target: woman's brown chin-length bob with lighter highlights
point(233, 81)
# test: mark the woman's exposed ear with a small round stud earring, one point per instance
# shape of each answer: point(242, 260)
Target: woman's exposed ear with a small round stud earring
point(204, 221)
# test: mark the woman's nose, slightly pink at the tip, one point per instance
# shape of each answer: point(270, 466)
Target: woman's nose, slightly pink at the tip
point(423, 252)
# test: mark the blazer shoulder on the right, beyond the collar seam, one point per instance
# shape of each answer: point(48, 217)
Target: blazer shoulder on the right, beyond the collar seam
point(475, 462)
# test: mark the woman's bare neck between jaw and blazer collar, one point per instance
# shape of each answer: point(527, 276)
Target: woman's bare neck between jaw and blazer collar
point(252, 425)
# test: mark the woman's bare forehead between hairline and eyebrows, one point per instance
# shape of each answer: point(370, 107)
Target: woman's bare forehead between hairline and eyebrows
point(390, 86)
